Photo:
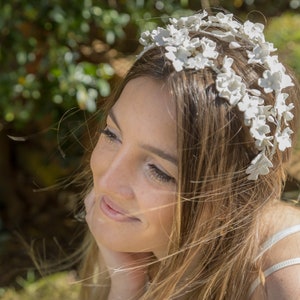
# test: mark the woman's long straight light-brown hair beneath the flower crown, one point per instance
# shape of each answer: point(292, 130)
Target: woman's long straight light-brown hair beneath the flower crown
point(214, 240)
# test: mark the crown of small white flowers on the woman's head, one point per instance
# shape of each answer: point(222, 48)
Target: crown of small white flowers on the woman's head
point(186, 52)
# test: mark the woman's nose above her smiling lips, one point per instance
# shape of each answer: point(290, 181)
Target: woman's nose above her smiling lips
point(114, 174)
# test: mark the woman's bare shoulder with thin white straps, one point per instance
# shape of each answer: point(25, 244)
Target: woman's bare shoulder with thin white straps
point(282, 260)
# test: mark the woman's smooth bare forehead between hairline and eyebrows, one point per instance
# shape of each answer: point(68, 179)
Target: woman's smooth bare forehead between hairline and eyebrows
point(146, 106)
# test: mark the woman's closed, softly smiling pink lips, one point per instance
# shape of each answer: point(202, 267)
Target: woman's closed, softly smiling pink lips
point(114, 212)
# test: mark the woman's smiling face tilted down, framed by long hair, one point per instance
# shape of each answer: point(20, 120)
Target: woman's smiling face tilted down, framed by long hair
point(134, 166)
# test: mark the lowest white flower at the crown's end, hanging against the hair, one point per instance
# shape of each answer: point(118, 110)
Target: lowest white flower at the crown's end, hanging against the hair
point(259, 166)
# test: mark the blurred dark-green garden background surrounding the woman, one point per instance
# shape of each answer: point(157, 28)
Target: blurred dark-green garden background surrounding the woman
point(57, 59)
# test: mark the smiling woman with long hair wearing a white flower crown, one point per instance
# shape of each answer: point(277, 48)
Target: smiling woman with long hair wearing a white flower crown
point(189, 168)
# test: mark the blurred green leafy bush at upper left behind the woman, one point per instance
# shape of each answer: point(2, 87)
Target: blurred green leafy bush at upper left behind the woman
point(46, 51)
